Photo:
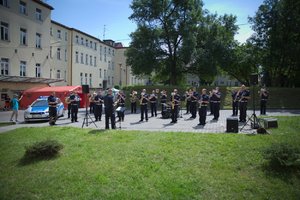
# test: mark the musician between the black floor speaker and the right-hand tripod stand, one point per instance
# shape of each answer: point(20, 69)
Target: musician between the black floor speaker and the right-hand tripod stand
point(243, 95)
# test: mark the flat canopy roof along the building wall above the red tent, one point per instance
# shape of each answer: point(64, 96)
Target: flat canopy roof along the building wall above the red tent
point(22, 79)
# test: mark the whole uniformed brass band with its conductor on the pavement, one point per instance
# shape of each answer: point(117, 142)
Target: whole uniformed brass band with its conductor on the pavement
point(170, 106)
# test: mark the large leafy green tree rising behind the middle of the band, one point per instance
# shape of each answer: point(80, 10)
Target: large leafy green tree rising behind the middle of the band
point(165, 38)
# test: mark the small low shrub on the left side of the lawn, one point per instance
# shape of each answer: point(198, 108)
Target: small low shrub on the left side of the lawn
point(43, 149)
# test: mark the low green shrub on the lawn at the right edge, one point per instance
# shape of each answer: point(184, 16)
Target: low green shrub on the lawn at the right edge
point(282, 156)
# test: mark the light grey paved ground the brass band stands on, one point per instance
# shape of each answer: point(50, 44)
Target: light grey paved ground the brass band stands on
point(154, 123)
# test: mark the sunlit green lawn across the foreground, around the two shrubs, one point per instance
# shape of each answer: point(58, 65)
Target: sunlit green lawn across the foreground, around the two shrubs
point(98, 164)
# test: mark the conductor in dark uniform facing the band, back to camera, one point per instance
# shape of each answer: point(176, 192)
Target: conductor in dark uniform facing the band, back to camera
point(109, 110)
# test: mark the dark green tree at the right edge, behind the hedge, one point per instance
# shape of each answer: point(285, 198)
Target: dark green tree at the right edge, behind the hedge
point(277, 28)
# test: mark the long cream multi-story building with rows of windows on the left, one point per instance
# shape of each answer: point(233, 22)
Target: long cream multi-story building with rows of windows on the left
point(36, 51)
